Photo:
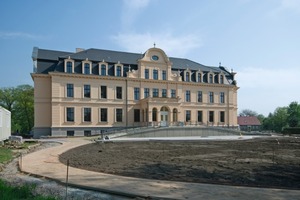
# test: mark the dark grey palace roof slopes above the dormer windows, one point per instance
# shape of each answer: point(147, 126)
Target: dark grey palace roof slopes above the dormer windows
point(98, 55)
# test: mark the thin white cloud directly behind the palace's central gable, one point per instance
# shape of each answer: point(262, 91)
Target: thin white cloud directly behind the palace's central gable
point(174, 46)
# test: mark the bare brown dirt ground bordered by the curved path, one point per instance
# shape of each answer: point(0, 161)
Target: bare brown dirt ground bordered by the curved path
point(267, 162)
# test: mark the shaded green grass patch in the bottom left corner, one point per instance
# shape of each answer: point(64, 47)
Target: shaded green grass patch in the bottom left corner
point(23, 192)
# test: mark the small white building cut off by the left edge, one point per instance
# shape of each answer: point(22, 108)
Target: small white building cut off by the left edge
point(5, 124)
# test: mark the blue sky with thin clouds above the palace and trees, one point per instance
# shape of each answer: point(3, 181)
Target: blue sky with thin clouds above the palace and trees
point(259, 39)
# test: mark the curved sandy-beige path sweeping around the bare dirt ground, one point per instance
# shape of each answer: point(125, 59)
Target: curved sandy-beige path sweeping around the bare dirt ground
point(45, 163)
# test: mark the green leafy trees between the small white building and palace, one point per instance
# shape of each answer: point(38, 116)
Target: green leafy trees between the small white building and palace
point(20, 101)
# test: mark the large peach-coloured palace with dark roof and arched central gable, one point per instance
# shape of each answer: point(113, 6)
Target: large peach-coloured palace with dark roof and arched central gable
point(88, 92)
